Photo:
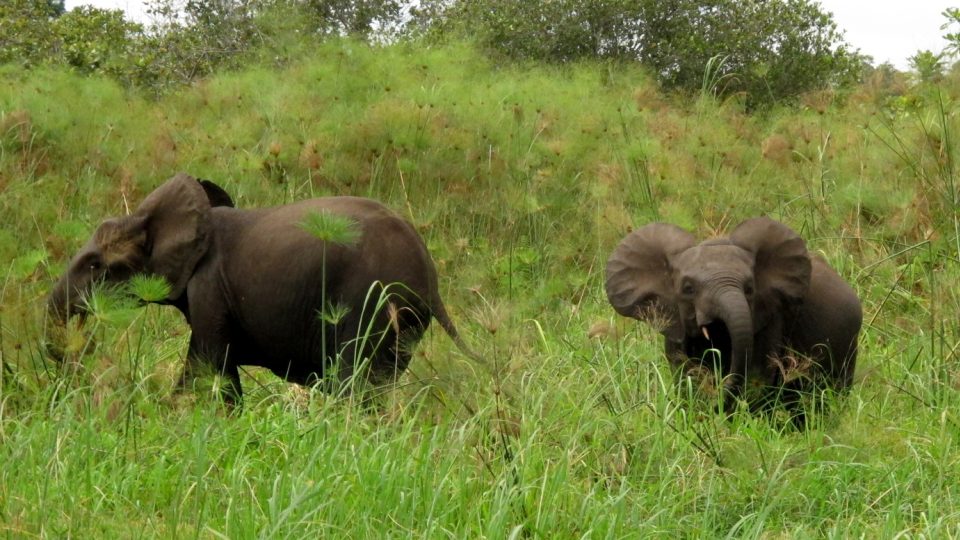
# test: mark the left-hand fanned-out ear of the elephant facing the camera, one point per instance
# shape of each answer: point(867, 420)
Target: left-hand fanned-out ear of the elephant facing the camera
point(640, 276)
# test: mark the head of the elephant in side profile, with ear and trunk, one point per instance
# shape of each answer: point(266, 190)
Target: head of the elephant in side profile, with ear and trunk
point(166, 236)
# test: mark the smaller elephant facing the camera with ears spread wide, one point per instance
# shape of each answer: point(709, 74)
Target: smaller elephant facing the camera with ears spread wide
point(757, 299)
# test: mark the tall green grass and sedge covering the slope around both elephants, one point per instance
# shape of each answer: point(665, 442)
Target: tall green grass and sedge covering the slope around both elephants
point(521, 179)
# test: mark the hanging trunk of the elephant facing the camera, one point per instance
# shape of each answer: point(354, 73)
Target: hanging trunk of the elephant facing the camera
point(734, 311)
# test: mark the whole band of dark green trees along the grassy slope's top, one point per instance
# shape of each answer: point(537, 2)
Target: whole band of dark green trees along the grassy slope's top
point(764, 51)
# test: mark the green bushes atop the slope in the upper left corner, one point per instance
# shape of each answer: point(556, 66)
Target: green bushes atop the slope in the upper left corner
point(189, 41)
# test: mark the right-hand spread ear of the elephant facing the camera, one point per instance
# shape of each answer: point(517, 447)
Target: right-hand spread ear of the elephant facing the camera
point(781, 263)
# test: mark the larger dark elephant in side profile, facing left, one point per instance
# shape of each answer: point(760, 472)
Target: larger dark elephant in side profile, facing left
point(255, 286)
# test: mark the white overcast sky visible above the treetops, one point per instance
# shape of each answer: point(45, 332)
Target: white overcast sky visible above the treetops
point(887, 30)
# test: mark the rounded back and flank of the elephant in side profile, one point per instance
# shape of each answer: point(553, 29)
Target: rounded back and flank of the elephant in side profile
point(279, 275)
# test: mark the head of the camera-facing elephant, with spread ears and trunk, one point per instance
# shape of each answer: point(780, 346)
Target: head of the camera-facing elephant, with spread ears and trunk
point(724, 294)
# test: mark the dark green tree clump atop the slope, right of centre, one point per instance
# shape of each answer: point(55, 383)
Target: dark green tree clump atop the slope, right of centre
point(771, 49)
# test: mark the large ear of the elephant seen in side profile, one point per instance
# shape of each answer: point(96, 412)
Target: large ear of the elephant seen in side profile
point(177, 218)
